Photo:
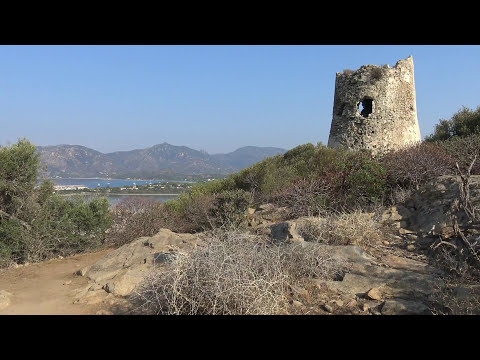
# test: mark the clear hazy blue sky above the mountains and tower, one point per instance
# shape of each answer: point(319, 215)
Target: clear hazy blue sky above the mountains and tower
point(215, 98)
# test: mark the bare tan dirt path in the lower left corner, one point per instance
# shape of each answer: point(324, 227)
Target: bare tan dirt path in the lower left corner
point(48, 288)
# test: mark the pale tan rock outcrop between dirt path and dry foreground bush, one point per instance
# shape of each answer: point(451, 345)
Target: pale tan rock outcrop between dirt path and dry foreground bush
point(123, 269)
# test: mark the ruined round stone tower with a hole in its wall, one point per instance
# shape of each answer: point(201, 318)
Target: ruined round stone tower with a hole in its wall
point(375, 108)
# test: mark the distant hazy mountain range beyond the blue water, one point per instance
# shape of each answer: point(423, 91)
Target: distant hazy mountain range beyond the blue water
point(159, 161)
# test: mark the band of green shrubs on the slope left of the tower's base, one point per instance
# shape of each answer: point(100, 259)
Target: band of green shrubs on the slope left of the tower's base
point(297, 179)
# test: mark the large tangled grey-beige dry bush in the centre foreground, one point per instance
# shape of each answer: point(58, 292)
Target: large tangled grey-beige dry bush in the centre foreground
point(236, 273)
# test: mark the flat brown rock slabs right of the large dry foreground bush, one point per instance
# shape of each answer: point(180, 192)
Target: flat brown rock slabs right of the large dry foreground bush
point(391, 285)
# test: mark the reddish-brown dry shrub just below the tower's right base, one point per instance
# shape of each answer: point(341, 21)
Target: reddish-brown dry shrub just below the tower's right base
point(414, 165)
